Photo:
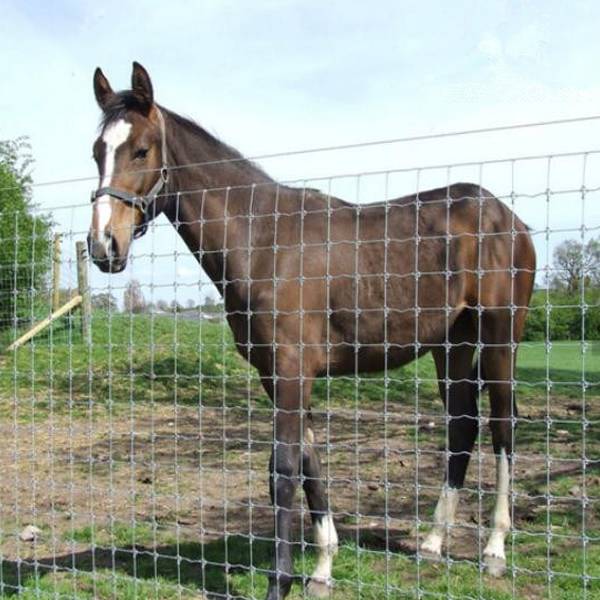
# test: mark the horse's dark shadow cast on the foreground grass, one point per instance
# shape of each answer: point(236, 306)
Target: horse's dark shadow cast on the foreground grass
point(220, 568)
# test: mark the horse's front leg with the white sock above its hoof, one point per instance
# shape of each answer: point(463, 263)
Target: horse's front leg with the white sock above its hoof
point(325, 535)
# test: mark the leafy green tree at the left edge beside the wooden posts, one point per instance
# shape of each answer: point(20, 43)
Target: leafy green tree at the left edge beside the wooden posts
point(25, 247)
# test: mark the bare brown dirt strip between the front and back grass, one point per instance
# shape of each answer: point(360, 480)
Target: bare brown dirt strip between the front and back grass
point(176, 474)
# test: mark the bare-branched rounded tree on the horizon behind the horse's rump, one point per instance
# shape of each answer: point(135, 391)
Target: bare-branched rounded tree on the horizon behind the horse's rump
point(575, 263)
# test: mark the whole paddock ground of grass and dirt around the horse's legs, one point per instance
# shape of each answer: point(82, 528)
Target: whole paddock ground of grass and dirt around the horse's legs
point(143, 459)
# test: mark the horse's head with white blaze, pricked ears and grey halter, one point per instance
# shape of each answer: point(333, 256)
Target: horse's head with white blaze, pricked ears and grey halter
point(131, 156)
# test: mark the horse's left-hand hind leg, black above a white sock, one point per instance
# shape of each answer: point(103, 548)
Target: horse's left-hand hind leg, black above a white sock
point(458, 389)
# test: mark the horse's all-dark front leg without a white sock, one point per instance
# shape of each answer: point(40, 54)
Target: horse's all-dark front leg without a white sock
point(284, 478)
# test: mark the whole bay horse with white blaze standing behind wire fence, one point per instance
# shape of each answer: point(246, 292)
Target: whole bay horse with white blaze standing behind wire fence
point(315, 286)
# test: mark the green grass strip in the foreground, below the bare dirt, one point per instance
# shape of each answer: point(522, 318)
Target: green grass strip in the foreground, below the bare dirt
point(235, 568)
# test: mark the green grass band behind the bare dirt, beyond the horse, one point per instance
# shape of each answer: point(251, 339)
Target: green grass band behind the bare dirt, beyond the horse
point(162, 359)
